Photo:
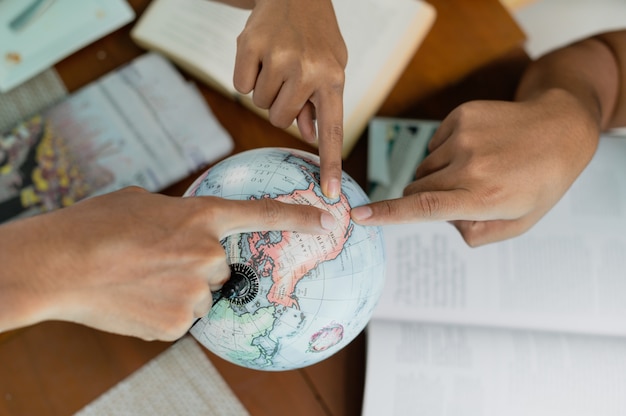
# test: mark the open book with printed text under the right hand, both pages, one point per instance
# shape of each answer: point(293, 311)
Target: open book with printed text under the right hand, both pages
point(534, 325)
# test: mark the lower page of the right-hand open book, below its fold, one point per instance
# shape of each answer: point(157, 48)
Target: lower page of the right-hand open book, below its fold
point(438, 370)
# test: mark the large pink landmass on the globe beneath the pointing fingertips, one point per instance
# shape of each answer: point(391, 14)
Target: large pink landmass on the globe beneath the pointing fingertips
point(265, 253)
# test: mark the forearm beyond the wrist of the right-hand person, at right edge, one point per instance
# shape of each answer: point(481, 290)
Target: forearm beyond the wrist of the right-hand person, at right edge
point(592, 72)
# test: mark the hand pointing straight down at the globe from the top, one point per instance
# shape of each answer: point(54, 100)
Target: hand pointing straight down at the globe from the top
point(292, 56)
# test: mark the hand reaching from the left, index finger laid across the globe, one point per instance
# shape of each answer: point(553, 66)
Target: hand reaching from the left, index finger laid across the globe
point(133, 262)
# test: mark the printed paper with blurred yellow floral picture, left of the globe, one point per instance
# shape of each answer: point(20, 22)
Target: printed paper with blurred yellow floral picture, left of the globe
point(142, 124)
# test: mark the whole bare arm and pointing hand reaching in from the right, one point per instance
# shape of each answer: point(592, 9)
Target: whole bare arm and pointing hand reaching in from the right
point(495, 168)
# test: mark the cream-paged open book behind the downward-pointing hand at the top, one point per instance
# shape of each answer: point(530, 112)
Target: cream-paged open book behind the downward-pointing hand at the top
point(381, 36)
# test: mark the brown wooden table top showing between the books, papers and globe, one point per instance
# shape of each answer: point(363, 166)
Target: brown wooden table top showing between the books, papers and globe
point(473, 51)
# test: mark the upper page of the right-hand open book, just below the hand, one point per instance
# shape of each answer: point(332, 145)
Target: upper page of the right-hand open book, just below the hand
point(566, 273)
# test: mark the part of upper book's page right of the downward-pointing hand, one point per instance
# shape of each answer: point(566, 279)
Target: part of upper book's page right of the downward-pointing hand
point(381, 36)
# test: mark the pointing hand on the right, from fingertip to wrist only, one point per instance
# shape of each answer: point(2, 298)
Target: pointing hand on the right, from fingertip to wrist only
point(495, 168)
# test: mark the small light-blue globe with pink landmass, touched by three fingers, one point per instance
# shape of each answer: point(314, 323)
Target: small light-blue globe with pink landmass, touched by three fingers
point(292, 299)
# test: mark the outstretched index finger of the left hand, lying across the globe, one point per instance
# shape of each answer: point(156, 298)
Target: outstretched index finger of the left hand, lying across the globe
point(269, 215)
